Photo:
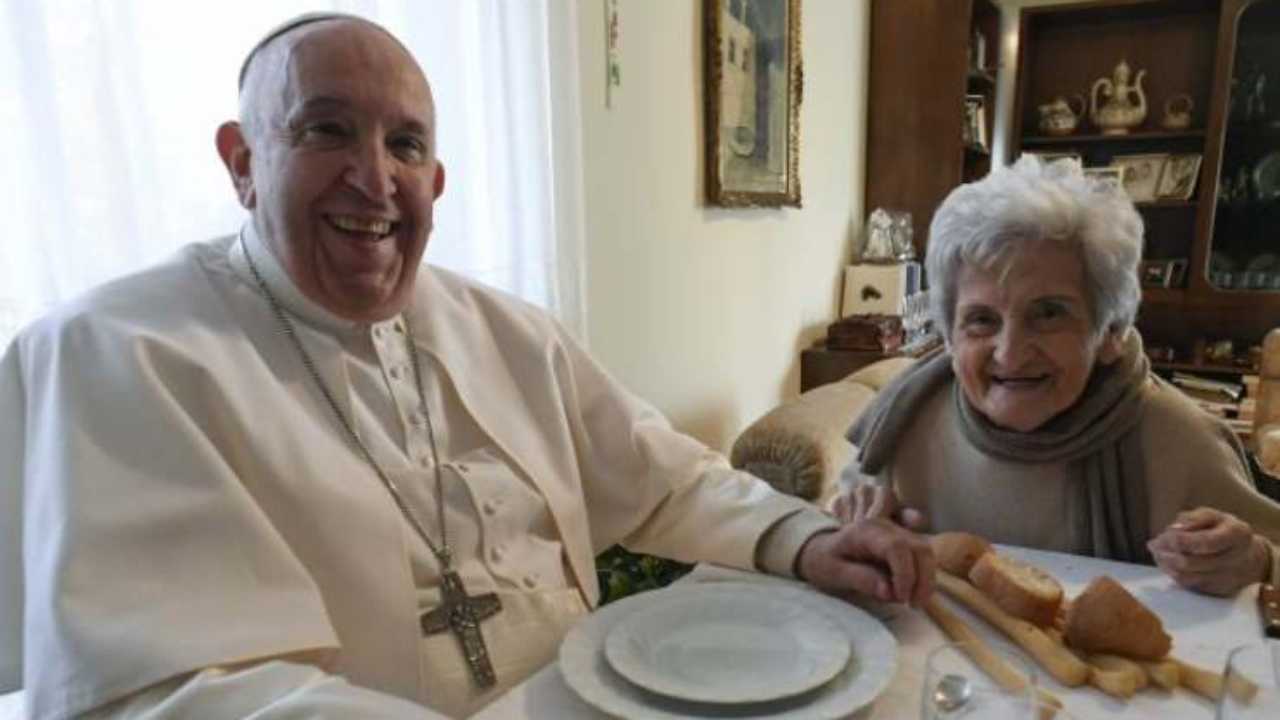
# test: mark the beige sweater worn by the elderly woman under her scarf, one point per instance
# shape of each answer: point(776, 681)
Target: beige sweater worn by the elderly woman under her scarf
point(1190, 458)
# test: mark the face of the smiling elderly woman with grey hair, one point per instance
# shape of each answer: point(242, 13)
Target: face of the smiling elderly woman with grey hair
point(1023, 345)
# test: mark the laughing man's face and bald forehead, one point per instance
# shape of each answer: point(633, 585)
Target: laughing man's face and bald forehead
point(342, 166)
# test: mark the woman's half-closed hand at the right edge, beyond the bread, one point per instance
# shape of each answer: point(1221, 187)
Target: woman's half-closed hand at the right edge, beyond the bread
point(1212, 552)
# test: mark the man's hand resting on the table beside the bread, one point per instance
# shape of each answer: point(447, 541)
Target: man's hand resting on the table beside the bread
point(871, 557)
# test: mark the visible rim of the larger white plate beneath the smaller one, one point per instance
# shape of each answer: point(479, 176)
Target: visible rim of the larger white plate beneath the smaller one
point(863, 680)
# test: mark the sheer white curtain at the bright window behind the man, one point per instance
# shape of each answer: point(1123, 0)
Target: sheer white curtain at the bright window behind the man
point(108, 112)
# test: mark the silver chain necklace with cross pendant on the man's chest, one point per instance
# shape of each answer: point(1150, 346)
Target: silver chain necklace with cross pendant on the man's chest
point(459, 613)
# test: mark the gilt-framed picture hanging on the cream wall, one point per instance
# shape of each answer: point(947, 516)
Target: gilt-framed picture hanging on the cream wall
point(752, 97)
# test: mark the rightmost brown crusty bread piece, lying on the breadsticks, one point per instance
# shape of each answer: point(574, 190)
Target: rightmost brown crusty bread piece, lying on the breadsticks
point(1105, 618)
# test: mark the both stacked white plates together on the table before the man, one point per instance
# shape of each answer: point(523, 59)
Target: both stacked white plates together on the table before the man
point(729, 650)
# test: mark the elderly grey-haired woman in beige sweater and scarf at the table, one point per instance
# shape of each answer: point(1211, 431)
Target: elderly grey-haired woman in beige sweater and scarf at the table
point(1041, 425)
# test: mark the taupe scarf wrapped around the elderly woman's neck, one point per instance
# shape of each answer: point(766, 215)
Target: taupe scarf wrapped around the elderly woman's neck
point(1098, 438)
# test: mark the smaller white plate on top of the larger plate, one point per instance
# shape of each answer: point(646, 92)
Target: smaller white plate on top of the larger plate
point(723, 645)
